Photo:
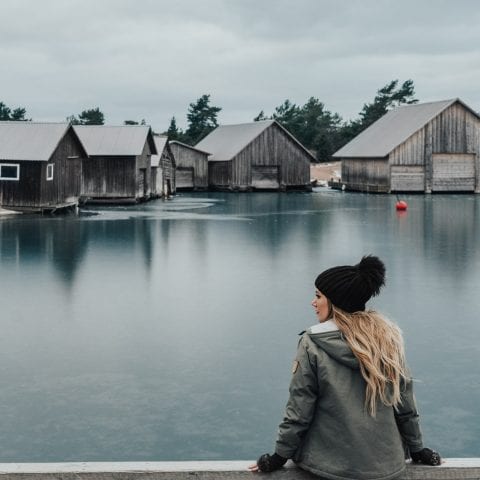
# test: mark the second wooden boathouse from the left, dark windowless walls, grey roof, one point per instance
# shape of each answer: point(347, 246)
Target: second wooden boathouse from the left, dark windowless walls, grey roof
point(118, 167)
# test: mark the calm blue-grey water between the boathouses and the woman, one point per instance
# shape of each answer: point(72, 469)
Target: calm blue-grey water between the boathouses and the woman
point(166, 331)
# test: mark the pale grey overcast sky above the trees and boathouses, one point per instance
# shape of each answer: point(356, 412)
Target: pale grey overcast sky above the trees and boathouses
point(150, 58)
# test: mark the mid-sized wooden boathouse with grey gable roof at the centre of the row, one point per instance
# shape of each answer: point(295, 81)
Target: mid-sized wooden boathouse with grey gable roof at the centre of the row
point(256, 156)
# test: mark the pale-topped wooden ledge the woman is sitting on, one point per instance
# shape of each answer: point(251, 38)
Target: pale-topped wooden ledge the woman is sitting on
point(452, 469)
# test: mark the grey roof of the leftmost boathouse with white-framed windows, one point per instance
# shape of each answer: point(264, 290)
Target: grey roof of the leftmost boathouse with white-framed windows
point(32, 141)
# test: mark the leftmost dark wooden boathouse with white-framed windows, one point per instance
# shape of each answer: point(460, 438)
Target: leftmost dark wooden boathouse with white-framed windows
point(40, 166)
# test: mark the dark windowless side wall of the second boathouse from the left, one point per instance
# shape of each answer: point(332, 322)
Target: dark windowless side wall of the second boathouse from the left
point(109, 177)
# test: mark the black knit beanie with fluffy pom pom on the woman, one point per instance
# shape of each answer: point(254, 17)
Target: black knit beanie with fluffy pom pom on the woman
point(349, 287)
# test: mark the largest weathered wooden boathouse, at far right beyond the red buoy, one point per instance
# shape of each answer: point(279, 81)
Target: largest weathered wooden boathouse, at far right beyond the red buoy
point(427, 147)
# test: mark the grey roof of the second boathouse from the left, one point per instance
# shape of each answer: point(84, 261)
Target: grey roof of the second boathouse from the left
point(108, 140)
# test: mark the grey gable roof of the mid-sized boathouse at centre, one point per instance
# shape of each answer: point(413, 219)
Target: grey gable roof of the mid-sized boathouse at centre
point(227, 141)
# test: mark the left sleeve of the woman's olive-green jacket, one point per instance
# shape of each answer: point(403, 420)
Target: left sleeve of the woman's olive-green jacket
point(300, 407)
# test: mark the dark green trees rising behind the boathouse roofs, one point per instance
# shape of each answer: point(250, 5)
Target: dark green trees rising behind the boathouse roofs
point(321, 131)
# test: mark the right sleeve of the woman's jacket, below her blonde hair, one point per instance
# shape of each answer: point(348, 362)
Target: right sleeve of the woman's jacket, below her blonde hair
point(407, 418)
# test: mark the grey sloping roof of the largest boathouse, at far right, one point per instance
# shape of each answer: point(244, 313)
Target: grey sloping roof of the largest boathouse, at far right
point(394, 128)
